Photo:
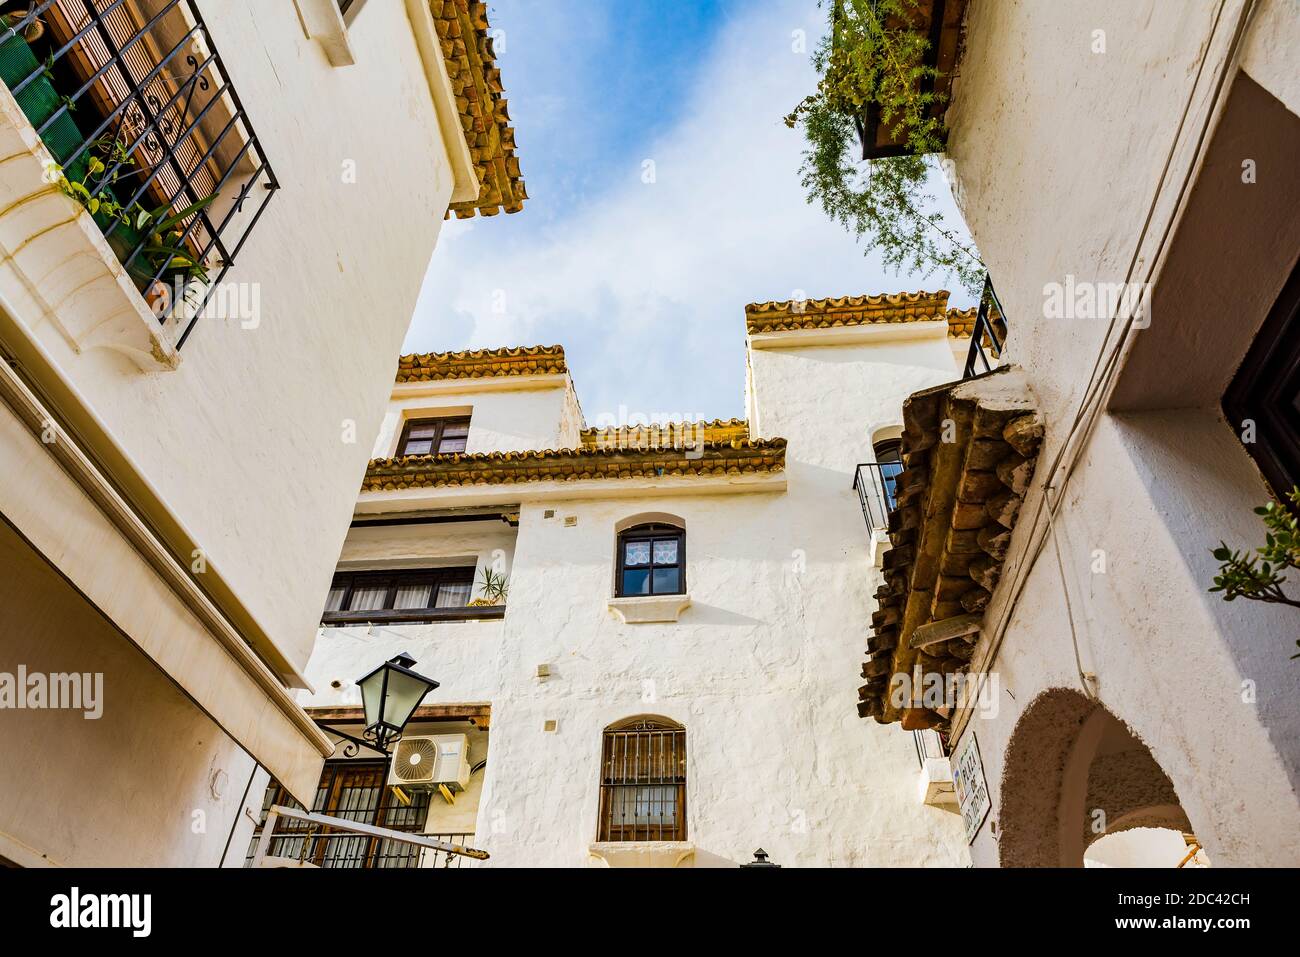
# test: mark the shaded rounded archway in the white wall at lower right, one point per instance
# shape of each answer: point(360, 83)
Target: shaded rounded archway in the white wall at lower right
point(1073, 774)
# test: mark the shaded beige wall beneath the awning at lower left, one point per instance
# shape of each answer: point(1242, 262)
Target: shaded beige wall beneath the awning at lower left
point(150, 782)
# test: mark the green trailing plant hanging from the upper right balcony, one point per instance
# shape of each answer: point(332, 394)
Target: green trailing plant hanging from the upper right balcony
point(868, 59)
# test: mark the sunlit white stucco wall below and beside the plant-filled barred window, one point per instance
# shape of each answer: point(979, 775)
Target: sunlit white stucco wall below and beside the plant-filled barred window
point(261, 423)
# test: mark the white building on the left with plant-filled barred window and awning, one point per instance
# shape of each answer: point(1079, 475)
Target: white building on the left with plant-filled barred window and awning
point(176, 488)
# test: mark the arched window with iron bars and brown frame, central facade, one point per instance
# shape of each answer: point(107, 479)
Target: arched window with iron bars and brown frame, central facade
point(644, 782)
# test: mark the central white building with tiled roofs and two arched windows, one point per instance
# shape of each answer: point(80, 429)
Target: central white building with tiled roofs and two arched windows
point(605, 725)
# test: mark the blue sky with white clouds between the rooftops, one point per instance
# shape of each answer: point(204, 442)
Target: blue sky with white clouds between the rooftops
point(665, 196)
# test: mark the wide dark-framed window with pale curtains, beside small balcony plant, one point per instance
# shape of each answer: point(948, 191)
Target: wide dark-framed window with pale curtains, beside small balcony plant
point(400, 595)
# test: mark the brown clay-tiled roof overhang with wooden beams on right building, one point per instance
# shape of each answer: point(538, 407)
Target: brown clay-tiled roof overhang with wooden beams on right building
point(969, 453)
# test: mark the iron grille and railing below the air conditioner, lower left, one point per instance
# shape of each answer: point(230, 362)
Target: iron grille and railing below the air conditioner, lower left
point(356, 791)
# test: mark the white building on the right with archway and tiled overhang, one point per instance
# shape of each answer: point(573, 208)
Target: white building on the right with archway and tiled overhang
point(1098, 145)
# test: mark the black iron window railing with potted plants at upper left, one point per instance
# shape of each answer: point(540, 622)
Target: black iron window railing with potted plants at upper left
point(149, 135)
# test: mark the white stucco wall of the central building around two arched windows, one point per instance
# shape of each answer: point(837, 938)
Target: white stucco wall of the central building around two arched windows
point(762, 669)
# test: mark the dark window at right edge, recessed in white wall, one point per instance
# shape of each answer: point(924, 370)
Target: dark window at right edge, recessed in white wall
point(1267, 392)
